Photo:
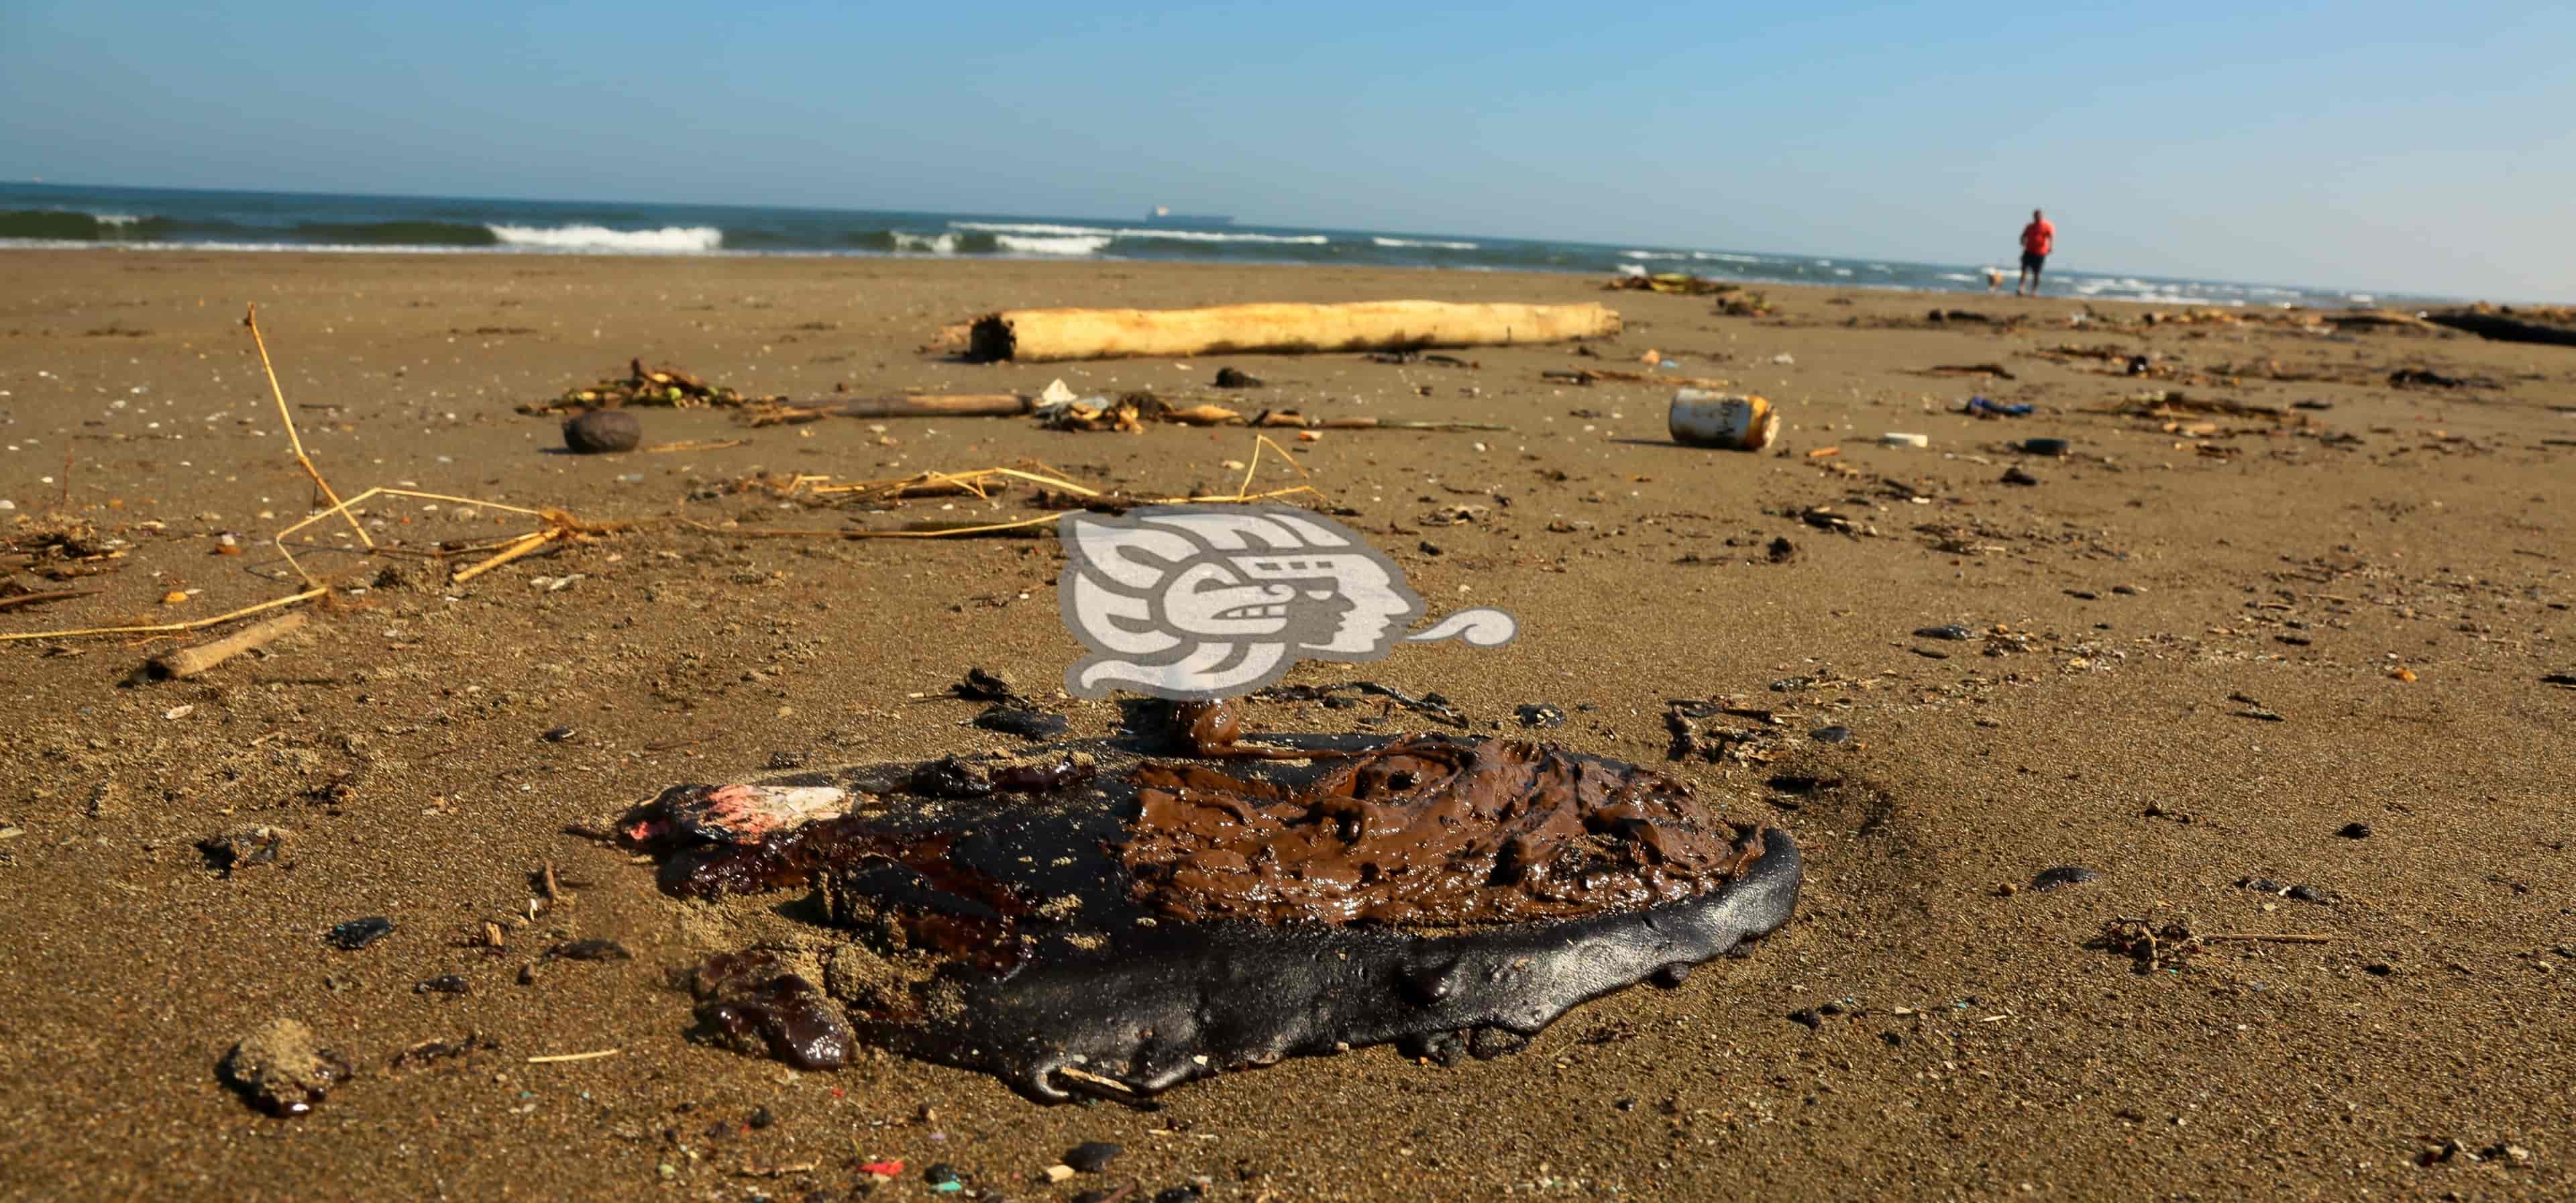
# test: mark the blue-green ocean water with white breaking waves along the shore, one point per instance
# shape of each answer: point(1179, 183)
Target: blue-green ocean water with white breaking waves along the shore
point(43, 215)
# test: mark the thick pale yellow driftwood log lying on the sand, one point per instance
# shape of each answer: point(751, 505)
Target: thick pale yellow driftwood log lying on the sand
point(1034, 336)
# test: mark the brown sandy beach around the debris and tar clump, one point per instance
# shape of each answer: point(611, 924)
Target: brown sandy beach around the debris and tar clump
point(2263, 599)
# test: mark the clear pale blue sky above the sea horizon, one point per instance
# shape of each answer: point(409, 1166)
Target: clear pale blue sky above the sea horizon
point(2366, 146)
